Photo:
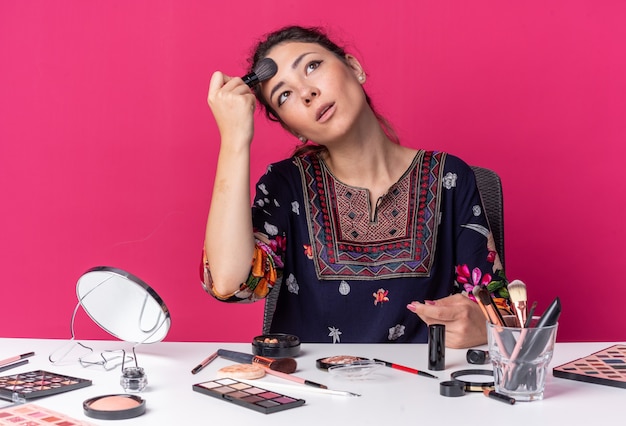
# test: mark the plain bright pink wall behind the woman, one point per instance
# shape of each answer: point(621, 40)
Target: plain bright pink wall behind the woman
point(108, 149)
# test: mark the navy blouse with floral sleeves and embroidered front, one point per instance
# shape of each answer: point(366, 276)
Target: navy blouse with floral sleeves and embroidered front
point(346, 273)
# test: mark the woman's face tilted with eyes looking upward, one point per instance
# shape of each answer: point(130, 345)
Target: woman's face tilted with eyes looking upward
point(315, 93)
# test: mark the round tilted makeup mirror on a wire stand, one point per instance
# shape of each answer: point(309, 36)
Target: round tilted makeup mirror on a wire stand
point(123, 305)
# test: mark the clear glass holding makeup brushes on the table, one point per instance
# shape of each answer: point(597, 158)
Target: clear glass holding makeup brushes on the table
point(521, 347)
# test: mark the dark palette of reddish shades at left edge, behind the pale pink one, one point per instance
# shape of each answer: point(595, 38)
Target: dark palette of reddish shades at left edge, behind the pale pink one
point(35, 384)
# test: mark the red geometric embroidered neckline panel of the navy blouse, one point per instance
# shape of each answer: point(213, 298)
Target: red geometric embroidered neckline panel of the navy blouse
point(343, 240)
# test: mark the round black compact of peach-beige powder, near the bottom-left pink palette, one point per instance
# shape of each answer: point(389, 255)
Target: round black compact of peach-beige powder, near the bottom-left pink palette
point(114, 407)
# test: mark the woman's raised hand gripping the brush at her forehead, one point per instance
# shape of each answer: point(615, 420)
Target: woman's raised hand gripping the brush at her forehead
point(232, 103)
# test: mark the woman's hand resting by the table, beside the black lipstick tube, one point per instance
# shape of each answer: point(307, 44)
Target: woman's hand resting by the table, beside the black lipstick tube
point(462, 317)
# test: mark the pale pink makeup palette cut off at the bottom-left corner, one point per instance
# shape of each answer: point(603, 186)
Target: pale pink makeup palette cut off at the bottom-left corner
point(33, 415)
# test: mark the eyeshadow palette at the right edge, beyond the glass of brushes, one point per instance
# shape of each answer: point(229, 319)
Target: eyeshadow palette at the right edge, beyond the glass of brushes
point(605, 367)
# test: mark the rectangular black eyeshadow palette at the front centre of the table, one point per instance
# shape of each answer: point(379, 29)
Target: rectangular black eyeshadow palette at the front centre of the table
point(249, 396)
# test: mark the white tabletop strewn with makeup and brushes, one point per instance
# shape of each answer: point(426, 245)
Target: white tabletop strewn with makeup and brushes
point(390, 397)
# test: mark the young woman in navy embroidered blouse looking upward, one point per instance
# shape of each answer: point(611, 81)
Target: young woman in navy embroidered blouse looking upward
point(370, 240)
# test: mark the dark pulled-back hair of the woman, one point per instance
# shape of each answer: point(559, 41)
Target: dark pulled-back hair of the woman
point(304, 35)
